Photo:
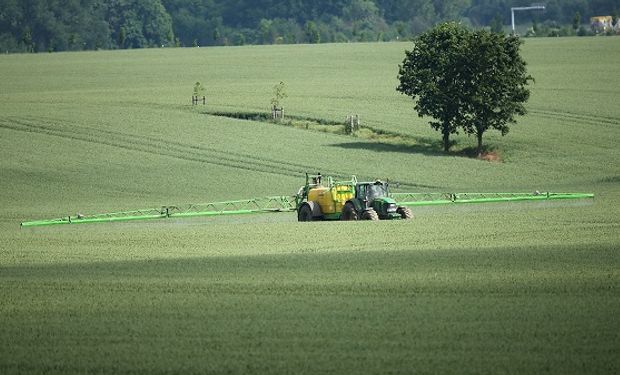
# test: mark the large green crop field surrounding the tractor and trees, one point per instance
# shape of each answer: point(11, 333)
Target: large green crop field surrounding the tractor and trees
point(498, 288)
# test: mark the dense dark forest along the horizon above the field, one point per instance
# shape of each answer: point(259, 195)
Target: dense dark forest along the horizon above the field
point(60, 25)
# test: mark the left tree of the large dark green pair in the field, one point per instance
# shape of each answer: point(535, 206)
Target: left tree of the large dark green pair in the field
point(432, 74)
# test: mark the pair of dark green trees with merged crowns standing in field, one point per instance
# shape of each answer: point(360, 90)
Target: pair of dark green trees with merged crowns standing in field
point(465, 80)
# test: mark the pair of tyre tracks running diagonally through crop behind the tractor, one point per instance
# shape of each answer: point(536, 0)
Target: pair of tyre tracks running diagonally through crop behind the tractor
point(167, 148)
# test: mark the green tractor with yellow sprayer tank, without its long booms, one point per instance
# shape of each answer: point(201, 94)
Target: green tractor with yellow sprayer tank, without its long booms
point(347, 200)
